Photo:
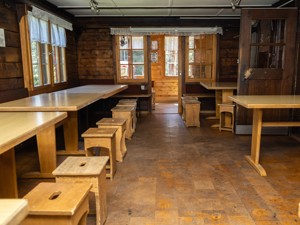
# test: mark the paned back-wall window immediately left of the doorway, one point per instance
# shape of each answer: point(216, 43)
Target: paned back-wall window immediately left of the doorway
point(131, 59)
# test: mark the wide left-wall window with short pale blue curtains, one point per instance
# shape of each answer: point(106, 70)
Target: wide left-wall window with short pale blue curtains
point(47, 61)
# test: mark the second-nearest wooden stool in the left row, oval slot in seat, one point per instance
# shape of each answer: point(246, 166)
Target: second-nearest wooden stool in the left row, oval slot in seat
point(89, 170)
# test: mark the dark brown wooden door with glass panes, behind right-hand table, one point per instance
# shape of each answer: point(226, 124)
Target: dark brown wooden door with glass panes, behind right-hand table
point(266, 57)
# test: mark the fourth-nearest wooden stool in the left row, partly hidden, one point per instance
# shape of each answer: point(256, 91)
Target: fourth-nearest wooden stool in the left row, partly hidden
point(120, 124)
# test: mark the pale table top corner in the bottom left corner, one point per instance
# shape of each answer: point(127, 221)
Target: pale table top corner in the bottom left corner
point(13, 211)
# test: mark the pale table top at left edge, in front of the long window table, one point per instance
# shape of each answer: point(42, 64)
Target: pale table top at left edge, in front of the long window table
point(16, 127)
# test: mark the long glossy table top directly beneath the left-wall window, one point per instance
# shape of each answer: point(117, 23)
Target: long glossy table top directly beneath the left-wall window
point(72, 99)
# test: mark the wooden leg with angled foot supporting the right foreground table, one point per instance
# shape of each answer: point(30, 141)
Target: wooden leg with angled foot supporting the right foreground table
point(255, 143)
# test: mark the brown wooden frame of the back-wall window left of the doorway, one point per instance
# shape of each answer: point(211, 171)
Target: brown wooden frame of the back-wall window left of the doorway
point(119, 80)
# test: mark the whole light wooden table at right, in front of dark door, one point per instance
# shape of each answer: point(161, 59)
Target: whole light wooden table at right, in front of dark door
point(258, 103)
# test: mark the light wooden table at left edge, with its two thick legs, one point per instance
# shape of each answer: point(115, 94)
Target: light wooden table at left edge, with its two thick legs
point(16, 127)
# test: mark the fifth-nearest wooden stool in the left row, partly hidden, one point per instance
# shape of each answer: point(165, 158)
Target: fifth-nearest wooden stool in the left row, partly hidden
point(125, 112)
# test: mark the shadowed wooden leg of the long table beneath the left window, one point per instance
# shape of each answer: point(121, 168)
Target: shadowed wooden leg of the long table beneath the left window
point(71, 135)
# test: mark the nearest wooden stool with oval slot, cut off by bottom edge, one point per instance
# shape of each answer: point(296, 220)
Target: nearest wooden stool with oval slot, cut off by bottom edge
point(59, 204)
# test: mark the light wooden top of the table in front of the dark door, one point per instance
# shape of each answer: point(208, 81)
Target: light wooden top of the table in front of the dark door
point(267, 101)
